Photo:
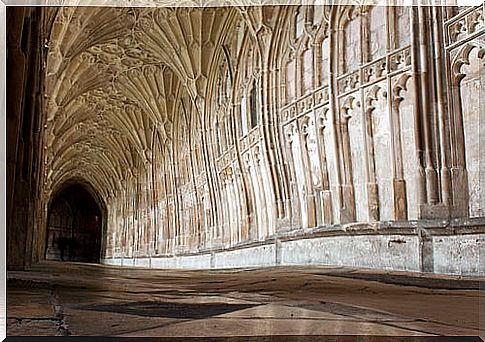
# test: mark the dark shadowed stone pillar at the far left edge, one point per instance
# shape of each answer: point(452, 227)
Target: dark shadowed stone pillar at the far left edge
point(23, 122)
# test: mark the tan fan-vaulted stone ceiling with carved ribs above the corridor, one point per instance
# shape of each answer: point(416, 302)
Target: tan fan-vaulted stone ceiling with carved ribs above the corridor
point(113, 77)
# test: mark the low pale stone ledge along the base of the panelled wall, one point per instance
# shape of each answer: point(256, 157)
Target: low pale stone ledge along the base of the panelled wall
point(438, 247)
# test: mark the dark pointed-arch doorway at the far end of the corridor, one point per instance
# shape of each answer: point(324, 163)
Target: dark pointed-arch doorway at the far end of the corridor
point(74, 226)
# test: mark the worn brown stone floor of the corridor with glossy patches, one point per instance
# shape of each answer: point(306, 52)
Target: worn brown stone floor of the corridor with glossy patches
point(82, 299)
